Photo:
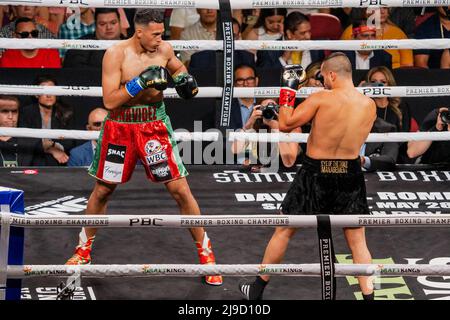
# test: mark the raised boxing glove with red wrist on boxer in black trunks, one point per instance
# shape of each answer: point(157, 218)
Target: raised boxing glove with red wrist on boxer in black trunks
point(293, 78)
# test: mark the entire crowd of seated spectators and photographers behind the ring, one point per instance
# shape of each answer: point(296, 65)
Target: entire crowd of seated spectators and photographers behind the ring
point(25, 22)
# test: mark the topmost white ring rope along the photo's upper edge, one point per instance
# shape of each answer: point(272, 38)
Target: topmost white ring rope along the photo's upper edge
point(235, 4)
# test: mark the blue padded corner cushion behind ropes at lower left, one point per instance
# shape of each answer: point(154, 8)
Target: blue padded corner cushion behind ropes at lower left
point(15, 200)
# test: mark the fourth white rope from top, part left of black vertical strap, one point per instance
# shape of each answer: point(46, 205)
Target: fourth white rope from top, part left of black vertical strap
point(93, 135)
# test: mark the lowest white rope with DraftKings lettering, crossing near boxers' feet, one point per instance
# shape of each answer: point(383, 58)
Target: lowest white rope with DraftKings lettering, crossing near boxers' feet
point(193, 270)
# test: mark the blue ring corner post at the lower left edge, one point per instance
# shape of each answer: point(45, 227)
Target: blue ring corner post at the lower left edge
point(11, 247)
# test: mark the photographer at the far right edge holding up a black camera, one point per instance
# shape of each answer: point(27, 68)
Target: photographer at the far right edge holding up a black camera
point(432, 152)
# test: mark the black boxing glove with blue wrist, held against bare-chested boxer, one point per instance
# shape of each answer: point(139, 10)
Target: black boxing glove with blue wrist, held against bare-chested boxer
point(152, 77)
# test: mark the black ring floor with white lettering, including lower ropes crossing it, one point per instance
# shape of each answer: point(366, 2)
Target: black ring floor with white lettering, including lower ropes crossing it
point(152, 260)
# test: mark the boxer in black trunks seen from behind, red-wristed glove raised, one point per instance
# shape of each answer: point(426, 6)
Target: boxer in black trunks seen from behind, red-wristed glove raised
point(330, 180)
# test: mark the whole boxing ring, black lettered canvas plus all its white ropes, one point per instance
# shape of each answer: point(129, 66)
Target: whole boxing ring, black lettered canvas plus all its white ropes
point(240, 202)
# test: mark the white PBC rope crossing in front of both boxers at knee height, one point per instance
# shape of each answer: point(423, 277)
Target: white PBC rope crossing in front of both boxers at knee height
point(183, 221)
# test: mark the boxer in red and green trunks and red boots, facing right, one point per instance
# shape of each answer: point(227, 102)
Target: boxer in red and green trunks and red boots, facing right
point(134, 76)
